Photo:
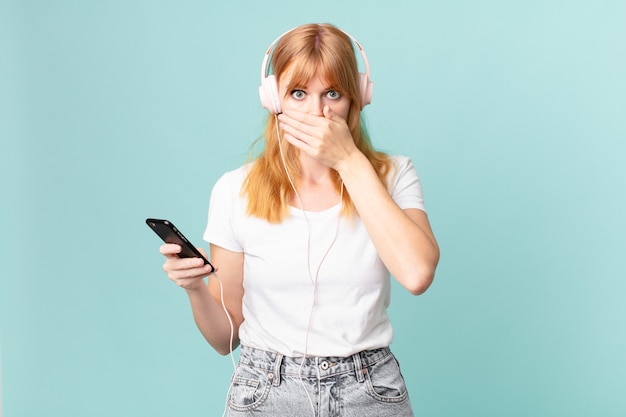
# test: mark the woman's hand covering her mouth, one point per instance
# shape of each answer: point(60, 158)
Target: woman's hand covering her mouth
point(325, 138)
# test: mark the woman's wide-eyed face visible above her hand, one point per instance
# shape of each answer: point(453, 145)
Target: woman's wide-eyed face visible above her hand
point(312, 98)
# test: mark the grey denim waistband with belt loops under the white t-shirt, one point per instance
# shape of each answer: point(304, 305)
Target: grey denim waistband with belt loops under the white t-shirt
point(313, 366)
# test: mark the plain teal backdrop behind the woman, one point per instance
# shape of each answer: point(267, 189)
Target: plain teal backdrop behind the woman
point(513, 111)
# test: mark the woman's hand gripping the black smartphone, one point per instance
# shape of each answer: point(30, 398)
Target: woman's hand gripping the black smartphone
point(187, 273)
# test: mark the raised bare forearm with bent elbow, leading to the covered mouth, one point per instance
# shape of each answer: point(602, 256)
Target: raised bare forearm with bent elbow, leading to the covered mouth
point(405, 244)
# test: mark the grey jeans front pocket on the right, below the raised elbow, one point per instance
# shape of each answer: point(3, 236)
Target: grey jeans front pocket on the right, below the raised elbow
point(385, 382)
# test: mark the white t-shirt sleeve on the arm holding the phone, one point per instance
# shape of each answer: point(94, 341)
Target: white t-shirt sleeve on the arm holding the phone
point(220, 229)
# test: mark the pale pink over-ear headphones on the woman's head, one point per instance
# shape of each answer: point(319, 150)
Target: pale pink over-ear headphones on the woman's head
point(269, 88)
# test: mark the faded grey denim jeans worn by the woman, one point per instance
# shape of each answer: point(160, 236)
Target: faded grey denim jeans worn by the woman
point(365, 384)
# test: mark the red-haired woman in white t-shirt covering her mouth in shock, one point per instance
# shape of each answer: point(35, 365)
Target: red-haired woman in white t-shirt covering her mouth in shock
point(305, 238)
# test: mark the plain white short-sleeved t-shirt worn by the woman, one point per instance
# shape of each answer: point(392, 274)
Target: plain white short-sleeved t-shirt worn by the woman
point(348, 312)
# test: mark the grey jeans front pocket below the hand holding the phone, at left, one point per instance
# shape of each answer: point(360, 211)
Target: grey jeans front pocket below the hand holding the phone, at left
point(250, 388)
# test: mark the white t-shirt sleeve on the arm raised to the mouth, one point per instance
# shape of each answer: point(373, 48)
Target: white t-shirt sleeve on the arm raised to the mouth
point(406, 188)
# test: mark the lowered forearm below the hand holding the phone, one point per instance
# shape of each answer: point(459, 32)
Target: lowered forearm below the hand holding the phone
point(212, 321)
